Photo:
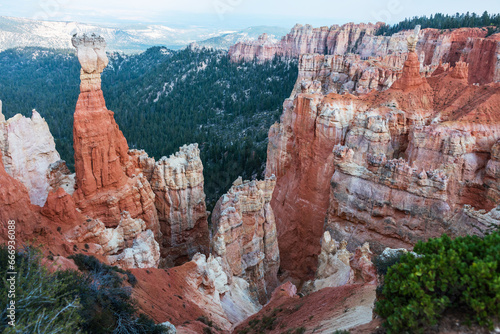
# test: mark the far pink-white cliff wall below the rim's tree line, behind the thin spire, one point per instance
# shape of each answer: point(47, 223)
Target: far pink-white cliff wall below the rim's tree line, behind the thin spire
point(352, 59)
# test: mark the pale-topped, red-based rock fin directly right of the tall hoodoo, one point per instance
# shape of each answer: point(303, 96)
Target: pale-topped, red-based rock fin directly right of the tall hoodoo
point(177, 182)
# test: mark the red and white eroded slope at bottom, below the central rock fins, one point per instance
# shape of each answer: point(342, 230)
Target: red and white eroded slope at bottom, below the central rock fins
point(199, 288)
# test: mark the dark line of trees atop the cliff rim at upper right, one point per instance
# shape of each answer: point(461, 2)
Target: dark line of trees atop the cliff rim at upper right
point(444, 21)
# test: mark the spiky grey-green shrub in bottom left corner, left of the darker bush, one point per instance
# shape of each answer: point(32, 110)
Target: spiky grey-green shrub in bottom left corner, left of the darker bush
point(42, 301)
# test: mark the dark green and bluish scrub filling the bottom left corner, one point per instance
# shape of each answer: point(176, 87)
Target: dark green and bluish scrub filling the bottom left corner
point(94, 301)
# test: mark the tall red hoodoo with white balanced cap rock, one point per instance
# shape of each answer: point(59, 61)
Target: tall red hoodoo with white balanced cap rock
point(105, 183)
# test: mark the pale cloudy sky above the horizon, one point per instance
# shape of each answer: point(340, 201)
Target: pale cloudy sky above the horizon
point(237, 14)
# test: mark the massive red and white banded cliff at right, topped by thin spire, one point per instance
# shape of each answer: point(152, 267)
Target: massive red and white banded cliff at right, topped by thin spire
point(390, 168)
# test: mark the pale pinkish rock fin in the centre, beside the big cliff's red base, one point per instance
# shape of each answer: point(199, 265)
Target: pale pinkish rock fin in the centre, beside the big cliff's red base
point(244, 235)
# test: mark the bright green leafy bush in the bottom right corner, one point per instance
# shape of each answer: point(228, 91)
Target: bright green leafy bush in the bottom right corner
point(463, 274)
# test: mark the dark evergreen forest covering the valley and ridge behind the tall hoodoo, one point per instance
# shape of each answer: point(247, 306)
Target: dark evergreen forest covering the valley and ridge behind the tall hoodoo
point(162, 99)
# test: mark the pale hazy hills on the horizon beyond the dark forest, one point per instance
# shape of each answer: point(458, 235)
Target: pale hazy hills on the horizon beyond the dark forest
point(21, 32)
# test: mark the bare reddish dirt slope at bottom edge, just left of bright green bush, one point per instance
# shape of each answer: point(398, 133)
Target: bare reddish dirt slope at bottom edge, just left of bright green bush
point(327, 311)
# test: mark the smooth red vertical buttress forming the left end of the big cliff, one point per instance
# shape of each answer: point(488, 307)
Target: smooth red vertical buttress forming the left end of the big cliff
point(299, 154)
